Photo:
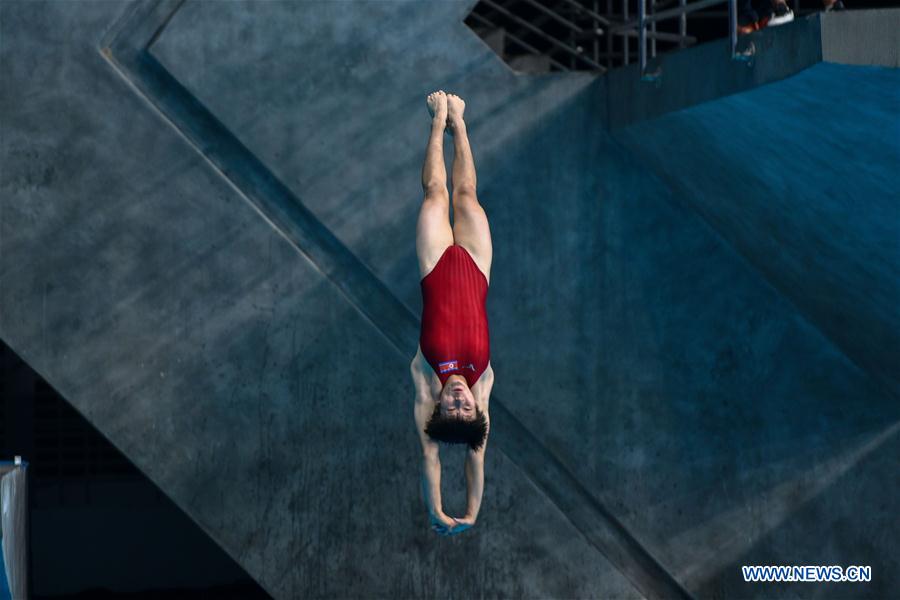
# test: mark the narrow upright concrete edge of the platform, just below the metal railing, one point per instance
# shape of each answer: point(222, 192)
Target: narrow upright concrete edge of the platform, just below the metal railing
point(686, 78)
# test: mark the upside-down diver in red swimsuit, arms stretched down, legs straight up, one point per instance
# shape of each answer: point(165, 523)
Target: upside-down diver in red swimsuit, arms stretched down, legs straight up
point(451, 371)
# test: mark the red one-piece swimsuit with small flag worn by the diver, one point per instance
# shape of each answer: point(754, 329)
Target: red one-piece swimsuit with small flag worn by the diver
point(454, 337)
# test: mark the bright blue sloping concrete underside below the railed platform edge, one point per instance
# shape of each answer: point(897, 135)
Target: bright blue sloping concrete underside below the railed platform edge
point(807, 190)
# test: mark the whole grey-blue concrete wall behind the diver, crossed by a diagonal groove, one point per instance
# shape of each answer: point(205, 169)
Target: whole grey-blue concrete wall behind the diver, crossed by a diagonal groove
point(691, 398)
